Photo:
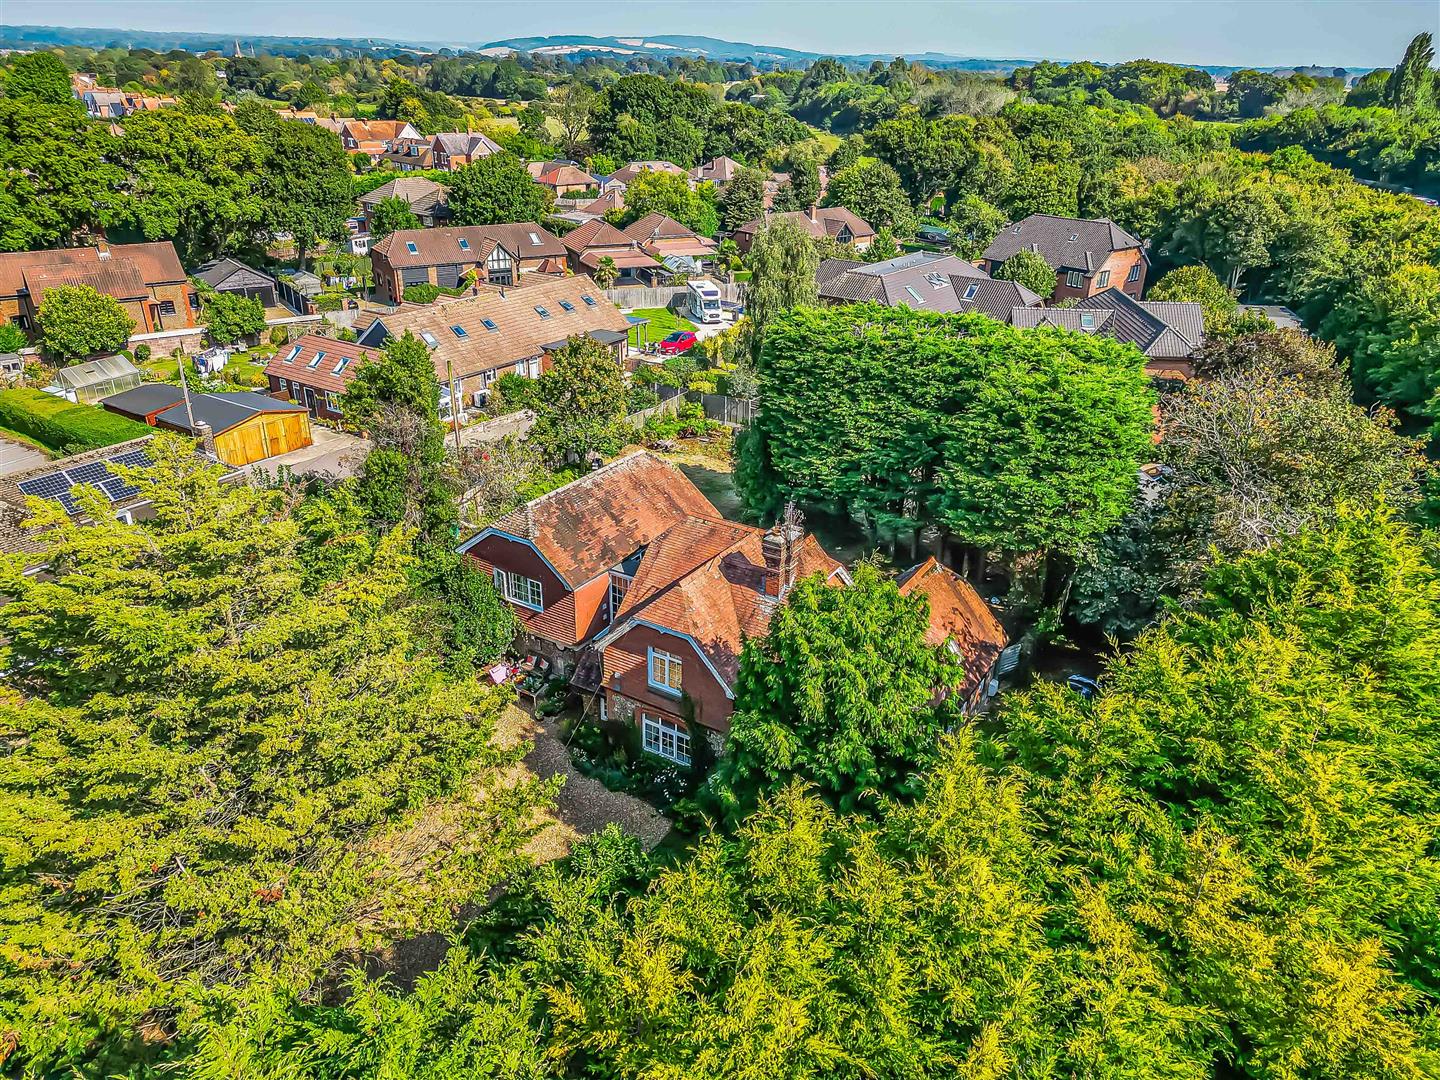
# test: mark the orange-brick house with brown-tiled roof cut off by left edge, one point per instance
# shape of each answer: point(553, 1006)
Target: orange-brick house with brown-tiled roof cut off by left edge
point(146, 279)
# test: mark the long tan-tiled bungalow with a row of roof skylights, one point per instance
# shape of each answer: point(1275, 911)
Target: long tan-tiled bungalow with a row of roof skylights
point(477, 339)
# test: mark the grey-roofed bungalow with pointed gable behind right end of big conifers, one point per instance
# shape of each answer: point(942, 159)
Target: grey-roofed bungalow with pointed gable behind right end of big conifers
point(1169, 333)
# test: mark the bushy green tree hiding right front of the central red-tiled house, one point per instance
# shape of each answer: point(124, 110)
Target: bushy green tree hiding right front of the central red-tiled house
point(840, 695)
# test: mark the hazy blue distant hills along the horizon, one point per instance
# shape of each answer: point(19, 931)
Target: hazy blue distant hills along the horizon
point(574, 47)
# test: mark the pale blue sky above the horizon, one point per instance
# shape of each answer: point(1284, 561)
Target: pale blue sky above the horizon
point(1350, 34)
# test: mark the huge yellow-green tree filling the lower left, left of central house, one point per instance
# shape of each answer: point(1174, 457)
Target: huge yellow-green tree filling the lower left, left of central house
point(218, 773)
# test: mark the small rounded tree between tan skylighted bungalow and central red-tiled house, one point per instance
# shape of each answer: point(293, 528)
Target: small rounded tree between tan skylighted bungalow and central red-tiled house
point(580, 402)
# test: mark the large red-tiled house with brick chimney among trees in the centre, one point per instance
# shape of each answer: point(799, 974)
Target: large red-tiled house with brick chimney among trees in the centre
point(633, 581)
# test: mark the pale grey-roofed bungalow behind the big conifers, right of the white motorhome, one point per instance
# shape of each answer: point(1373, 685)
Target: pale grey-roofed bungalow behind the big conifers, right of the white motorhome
point(925, 282)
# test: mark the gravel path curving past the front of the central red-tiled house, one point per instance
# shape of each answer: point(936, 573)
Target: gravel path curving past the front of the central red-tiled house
point(585, 806)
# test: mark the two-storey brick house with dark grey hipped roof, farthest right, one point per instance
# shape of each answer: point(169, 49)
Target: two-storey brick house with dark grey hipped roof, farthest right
point(1086, 256)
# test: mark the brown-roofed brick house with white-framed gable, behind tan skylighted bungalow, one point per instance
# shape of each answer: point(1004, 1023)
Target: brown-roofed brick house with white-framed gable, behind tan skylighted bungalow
point(496, 254)
